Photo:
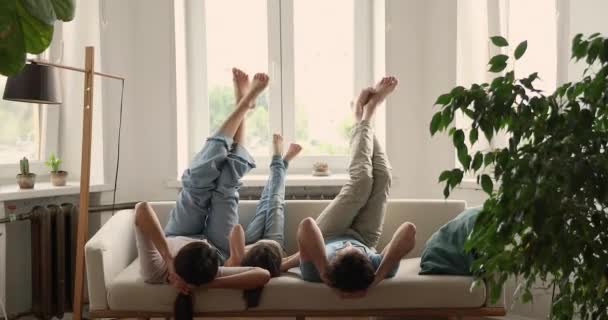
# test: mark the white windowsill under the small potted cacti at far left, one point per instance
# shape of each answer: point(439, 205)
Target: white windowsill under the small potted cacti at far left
point(10, 192)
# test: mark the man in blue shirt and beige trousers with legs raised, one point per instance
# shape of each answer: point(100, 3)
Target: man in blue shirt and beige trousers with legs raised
point(338, 248)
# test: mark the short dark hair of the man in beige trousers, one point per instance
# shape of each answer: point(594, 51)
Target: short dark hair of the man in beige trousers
point(351, 272)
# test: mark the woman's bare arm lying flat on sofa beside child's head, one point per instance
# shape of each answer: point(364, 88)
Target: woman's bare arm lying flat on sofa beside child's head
point(243, 278)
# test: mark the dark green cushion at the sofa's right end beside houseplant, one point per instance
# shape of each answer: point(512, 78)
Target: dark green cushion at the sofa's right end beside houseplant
point(444, 252)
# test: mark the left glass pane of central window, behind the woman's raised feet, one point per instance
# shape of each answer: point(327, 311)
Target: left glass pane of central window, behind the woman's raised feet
point(237, 38)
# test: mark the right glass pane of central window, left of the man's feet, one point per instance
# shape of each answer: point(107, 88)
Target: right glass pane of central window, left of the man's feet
point(324, 74)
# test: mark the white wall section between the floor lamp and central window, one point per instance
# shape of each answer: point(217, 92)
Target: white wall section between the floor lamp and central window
point(138, 43)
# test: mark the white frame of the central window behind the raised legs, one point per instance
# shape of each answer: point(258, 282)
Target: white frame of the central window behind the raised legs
point(281, 93)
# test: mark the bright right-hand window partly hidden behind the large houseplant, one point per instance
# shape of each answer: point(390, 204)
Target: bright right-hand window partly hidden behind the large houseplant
point(516, 20)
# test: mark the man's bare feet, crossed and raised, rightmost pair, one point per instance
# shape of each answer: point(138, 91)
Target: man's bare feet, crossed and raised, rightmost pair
point(370, 98)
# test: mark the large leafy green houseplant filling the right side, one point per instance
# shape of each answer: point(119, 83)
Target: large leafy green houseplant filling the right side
point(545, 218)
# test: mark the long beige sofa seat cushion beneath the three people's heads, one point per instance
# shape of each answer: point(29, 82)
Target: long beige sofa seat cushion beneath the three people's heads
point(407, 289)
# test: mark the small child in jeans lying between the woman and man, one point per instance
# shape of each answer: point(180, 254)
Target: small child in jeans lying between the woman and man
point(261, 244)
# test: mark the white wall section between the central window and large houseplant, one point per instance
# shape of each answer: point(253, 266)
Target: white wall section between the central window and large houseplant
point(421, 52)
